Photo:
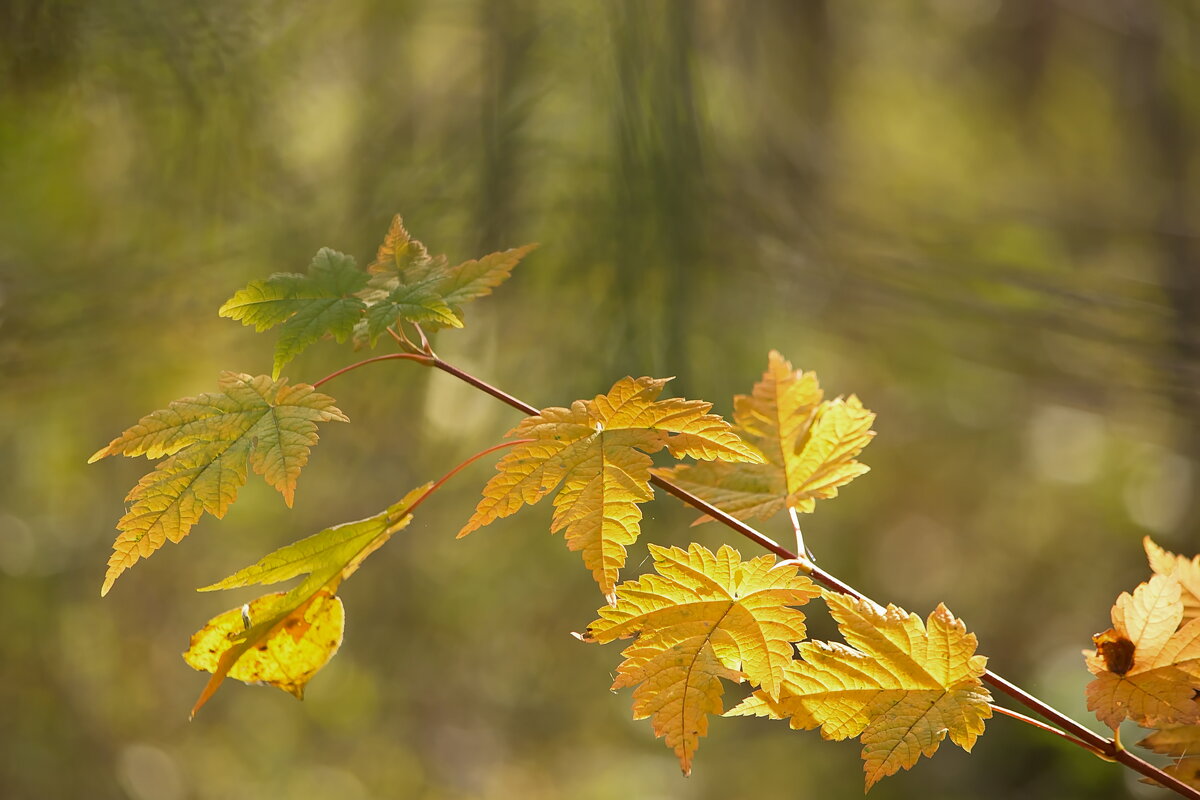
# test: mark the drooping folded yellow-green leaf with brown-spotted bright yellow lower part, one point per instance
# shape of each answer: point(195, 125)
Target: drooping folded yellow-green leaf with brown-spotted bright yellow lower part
point(284, 639)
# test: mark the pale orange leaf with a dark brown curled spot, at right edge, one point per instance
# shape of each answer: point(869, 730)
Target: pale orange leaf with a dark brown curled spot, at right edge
point(1147, 666)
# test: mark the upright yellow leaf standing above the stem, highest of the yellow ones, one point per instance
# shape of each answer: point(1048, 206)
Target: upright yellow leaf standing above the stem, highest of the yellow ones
point(811, 446)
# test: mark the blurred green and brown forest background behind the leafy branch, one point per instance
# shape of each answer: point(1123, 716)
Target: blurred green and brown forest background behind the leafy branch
point(979, 215)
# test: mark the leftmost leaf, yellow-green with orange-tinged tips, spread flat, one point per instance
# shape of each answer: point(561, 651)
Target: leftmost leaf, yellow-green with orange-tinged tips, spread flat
point(209, 440)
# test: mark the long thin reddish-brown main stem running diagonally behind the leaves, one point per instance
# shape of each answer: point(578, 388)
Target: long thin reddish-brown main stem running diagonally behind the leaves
point(1084, 737)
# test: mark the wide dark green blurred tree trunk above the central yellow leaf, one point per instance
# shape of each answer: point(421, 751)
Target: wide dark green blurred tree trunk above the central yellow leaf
point(658, 197)
